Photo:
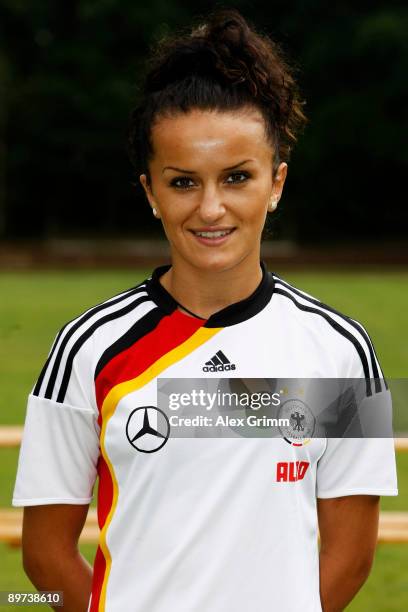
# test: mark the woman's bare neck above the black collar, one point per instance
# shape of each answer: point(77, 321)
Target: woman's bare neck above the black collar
point(206, 291)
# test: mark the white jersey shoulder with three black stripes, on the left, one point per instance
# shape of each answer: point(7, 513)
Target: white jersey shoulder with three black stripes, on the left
point(79, 343)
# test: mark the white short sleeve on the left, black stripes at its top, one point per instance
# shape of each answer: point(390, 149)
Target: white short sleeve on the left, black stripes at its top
point(59, 451)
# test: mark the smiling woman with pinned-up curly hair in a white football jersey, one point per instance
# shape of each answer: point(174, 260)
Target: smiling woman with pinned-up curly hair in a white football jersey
point(193, 523)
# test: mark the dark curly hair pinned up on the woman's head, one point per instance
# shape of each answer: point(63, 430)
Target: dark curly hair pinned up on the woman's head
point(221, 64)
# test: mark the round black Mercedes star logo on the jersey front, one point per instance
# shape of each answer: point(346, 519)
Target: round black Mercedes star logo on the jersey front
point(140, 433)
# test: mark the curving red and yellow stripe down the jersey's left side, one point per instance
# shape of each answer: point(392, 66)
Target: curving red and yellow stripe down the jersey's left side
point(175, 337)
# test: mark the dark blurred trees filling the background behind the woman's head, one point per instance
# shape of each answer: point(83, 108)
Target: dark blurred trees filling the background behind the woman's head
point(70, 71)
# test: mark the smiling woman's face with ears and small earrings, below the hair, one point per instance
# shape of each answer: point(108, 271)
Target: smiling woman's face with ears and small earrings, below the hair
point(212, 172)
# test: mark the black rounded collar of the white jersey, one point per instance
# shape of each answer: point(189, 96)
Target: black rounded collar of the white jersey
point(229, 315)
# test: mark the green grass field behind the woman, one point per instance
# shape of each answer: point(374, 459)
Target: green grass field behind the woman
point(39, 303)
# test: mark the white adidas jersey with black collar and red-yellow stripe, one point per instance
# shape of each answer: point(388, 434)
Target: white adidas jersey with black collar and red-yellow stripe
point(224, 524)
